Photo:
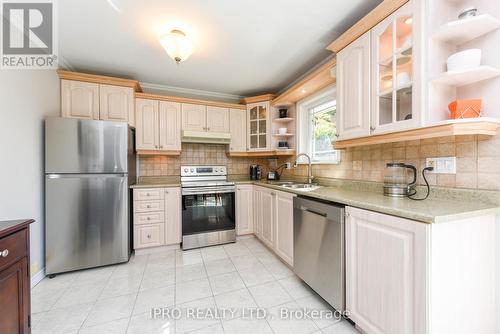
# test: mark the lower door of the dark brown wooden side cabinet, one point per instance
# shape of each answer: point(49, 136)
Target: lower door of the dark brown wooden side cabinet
point(15, 297)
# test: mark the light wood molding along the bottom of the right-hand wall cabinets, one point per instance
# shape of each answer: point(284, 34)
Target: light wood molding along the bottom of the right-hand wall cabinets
point(459, 127)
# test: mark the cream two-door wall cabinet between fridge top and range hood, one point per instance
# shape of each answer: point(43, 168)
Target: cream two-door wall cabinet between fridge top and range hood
point(158, 125)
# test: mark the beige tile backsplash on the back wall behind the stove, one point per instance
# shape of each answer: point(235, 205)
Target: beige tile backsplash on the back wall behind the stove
point(196, 154)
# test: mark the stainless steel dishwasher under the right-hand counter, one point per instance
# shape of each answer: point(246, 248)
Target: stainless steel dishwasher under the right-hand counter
point(319, 248)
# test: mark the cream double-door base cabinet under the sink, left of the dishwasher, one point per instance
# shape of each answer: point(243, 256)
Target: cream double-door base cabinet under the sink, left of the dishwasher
point(274, 221)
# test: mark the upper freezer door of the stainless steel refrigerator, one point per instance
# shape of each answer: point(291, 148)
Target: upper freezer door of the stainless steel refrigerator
point(85, 146)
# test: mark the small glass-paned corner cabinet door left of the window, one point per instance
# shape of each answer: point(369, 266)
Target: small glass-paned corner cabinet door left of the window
point(258, 126)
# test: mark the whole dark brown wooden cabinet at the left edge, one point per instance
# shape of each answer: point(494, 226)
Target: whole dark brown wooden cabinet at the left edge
point(14, 277)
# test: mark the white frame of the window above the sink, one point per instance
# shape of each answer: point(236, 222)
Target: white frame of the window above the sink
point(304, 133)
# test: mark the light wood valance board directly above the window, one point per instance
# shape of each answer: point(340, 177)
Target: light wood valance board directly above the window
point(316, 80)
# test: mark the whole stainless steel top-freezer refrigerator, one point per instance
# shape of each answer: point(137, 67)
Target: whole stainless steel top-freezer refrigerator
point(88, 168)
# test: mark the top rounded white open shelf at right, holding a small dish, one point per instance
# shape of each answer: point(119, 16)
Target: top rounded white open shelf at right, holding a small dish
point(461, 31)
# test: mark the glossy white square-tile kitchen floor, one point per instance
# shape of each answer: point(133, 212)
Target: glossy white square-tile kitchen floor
point(241, 277)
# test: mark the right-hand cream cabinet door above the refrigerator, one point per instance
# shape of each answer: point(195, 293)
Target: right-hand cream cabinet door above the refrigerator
point(116, 104)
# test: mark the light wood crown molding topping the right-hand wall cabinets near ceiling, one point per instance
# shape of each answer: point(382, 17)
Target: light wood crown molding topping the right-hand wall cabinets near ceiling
point(378, 14)
